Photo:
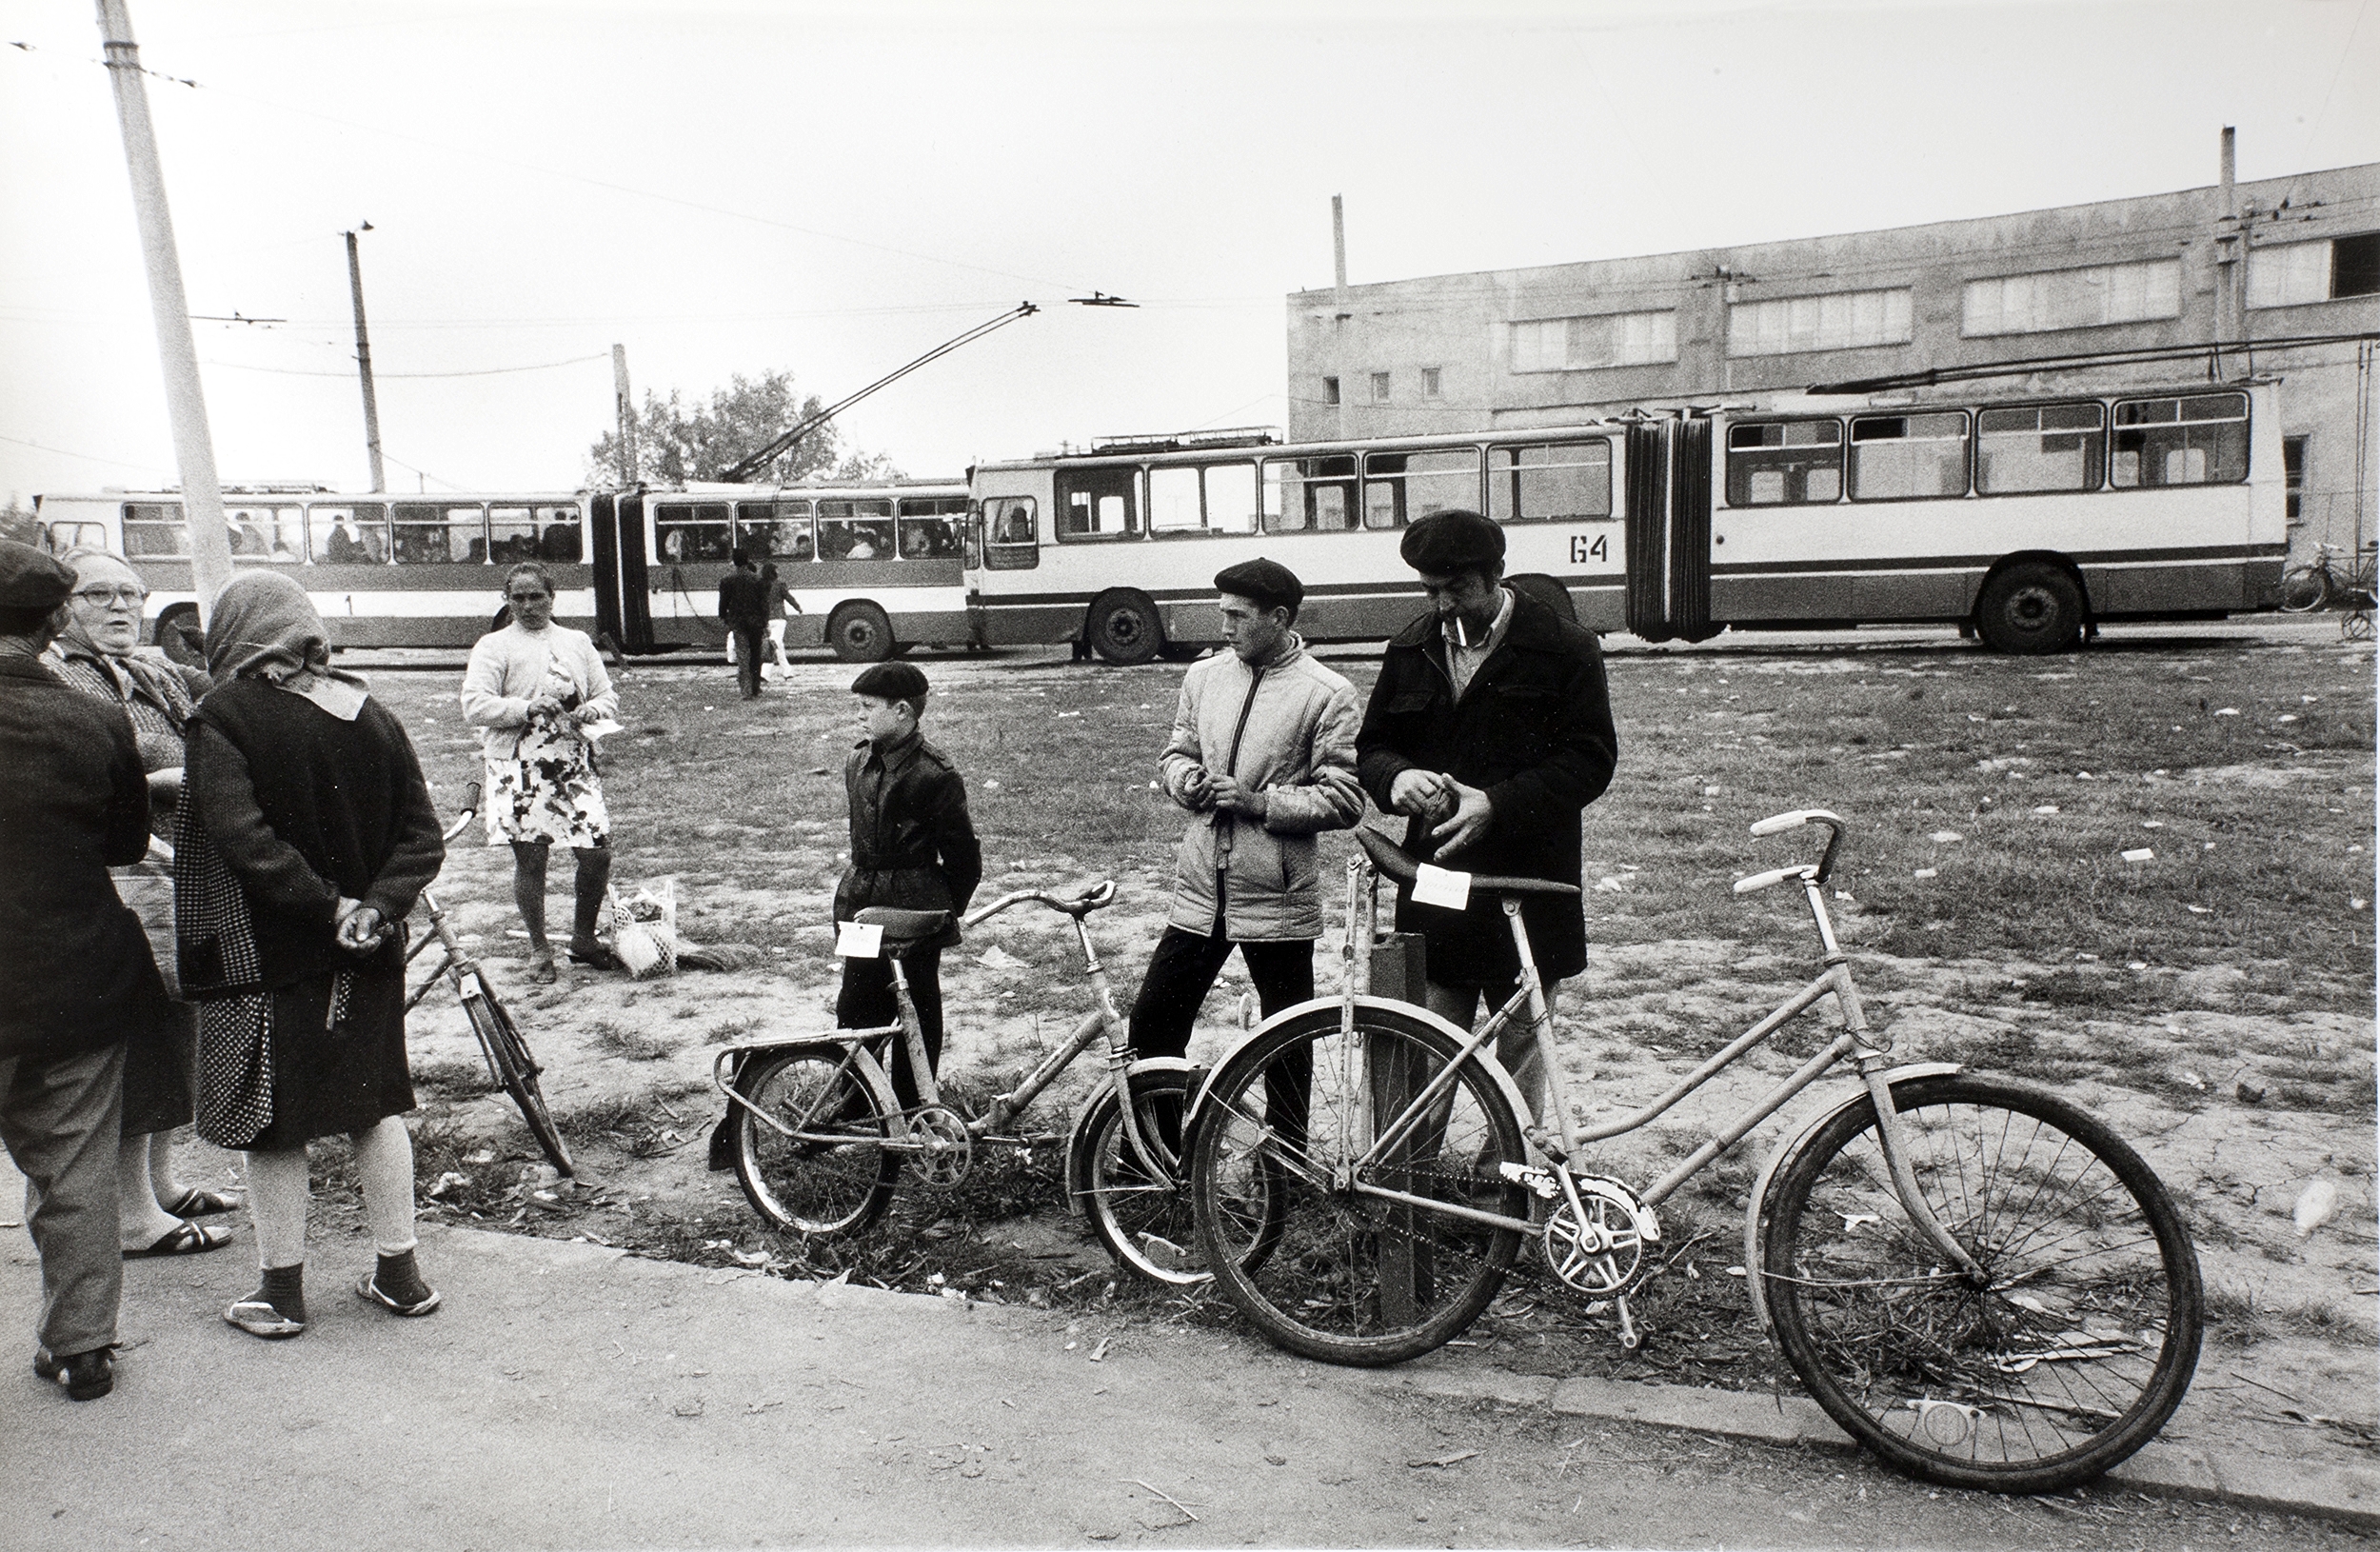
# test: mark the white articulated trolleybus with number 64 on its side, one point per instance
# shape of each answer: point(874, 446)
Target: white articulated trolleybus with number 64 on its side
point(2022, 518)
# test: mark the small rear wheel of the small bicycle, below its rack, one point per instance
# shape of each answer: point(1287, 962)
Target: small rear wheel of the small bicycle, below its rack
point(839, 1175)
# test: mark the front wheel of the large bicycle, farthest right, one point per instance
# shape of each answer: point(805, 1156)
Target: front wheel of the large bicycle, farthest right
point(2065, 1365)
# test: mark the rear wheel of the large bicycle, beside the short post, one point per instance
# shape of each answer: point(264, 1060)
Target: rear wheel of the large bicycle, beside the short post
point(1279, 1179)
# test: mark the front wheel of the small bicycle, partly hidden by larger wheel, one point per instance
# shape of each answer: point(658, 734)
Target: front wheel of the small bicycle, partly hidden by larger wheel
point(1141, 1206)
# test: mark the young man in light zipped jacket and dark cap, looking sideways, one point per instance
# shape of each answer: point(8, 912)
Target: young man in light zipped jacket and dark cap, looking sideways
point(1263, 756)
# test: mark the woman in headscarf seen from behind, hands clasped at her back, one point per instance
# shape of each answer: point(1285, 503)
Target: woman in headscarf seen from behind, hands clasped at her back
point(306, 837)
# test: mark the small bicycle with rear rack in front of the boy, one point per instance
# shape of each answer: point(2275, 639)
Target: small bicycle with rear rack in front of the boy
point(820, 1132)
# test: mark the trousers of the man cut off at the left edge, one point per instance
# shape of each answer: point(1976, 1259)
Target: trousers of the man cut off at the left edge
point(63, 1122)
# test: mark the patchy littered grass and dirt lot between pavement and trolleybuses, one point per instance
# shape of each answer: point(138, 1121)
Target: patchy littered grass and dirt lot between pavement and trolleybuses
point(2243, 1070)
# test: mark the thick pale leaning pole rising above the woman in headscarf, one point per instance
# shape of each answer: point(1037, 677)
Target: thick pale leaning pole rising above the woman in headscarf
point(187, 406)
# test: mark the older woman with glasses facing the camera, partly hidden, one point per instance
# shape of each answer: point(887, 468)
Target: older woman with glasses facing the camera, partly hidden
point(99, 653)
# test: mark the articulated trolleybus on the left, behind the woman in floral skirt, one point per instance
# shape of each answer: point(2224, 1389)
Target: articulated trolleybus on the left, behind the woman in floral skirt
point(872, 568)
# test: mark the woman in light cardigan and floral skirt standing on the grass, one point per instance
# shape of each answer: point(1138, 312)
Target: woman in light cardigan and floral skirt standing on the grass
point(534, 689)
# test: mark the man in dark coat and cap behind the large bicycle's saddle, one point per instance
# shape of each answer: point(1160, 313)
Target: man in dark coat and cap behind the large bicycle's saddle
point(1491, 730)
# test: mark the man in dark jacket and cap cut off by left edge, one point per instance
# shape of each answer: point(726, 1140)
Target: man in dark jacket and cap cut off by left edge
point(77, 975)
